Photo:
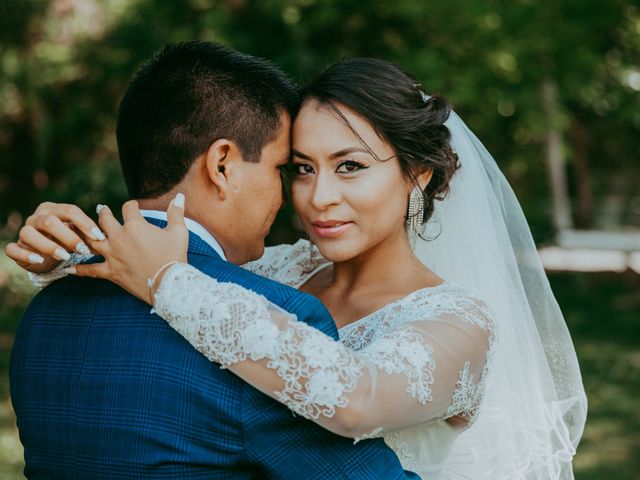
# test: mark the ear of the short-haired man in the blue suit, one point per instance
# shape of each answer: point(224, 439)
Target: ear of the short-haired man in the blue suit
point(220, 163)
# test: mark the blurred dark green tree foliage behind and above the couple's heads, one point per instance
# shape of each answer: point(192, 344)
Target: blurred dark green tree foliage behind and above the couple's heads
point(64, 64)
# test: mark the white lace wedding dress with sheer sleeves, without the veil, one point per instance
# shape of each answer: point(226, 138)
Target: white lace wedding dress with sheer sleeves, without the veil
point(398, 372)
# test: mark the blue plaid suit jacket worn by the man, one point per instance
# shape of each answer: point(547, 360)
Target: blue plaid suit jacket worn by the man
point(103, 389)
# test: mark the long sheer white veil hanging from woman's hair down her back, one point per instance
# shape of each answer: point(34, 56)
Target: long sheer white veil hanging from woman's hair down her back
point(535, 406)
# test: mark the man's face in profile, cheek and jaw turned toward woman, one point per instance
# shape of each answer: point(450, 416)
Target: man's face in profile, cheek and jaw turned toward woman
point(258, 199)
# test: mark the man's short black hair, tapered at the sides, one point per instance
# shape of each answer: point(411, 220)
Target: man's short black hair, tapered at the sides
point(186, 97)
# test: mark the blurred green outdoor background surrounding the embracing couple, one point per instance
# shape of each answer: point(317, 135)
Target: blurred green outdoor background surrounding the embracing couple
point(551, 87)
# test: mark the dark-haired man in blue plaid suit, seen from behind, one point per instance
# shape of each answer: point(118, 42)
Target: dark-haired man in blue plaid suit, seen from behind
point(102, 388)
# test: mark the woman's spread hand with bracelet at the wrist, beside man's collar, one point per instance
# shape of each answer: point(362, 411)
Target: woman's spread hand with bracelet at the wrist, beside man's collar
point(137, 250)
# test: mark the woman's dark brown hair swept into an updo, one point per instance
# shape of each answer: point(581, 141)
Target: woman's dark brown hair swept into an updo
point(392, 100)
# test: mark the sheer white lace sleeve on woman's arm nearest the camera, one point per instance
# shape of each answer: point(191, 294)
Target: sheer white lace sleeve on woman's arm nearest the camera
point(423, 370)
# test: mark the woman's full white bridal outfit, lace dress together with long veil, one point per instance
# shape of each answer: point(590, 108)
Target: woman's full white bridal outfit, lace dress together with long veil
point(401, 371)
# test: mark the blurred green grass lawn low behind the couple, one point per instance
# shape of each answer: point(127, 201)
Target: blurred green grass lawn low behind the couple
point(603, 312)
